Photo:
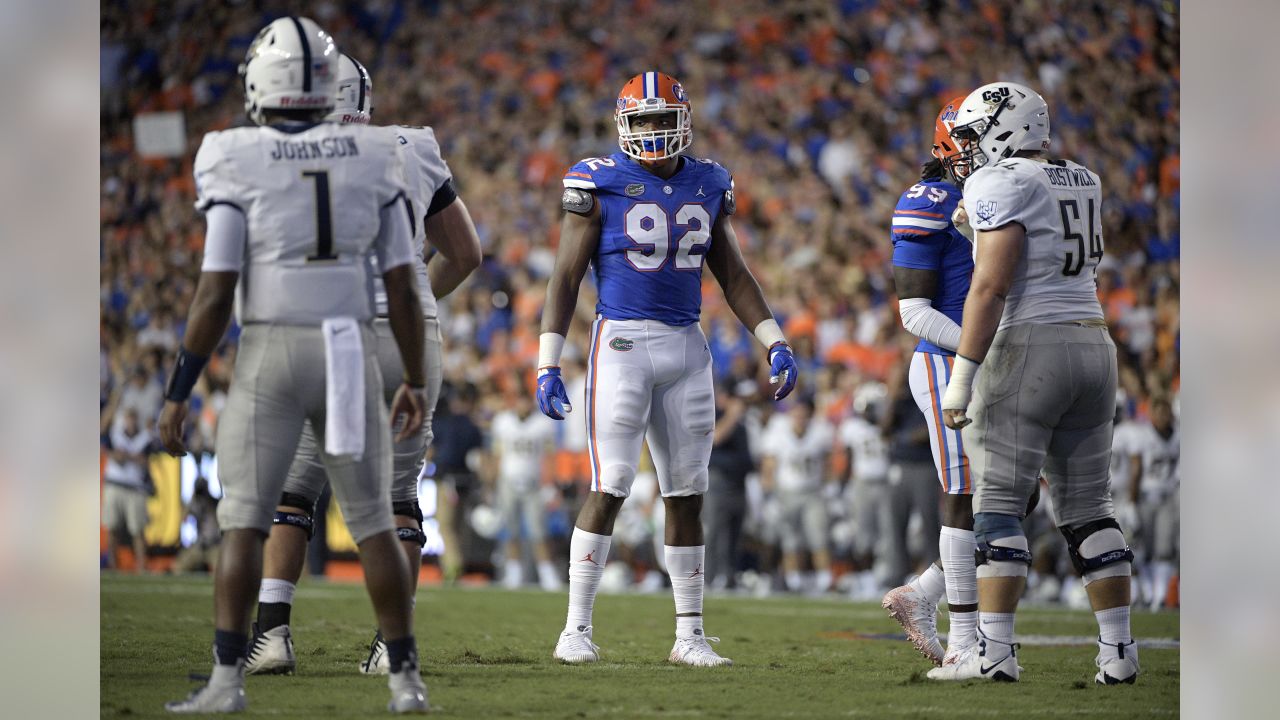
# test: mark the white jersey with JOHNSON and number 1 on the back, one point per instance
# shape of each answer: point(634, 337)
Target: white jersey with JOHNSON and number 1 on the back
point(313, 206)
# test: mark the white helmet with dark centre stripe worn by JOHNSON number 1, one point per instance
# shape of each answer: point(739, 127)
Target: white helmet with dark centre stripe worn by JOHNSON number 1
point(292, 65)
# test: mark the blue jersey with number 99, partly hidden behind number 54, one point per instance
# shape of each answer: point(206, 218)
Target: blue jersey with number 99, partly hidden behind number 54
point(925, 239)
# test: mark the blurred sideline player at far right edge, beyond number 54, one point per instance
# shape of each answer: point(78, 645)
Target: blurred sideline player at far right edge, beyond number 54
point(1154, 490)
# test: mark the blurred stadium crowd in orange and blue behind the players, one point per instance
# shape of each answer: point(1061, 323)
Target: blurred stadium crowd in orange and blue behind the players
point(822, 111)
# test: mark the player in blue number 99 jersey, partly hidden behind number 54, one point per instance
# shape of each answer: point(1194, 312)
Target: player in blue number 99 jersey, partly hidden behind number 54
point(932, 266)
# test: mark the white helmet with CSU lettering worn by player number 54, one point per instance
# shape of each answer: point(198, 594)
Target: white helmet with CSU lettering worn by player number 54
point(996, 121)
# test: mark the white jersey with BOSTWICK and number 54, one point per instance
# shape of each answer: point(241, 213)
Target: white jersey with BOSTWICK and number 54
point(1060, 206)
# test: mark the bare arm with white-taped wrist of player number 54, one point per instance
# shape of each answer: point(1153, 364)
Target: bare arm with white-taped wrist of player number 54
point(999, 254)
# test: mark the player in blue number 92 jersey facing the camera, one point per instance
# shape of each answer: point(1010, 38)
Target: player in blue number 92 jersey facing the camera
point(646, 220)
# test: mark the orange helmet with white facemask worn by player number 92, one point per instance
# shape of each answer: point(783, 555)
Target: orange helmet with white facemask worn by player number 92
point(651, 94)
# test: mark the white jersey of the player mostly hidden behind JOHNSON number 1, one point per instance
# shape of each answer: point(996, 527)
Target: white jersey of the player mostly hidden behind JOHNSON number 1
point(426, 172)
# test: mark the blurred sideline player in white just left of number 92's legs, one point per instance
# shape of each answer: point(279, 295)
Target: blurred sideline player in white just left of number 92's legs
point(522, 443)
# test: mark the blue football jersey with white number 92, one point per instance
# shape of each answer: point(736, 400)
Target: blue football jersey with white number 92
point(653, 235)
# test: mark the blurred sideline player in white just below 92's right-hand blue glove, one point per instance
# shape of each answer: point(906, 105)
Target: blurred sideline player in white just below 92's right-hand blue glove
point(796, 457)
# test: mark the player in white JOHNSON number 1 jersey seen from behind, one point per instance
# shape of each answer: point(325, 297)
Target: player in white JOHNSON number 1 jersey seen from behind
point(299, 275)
